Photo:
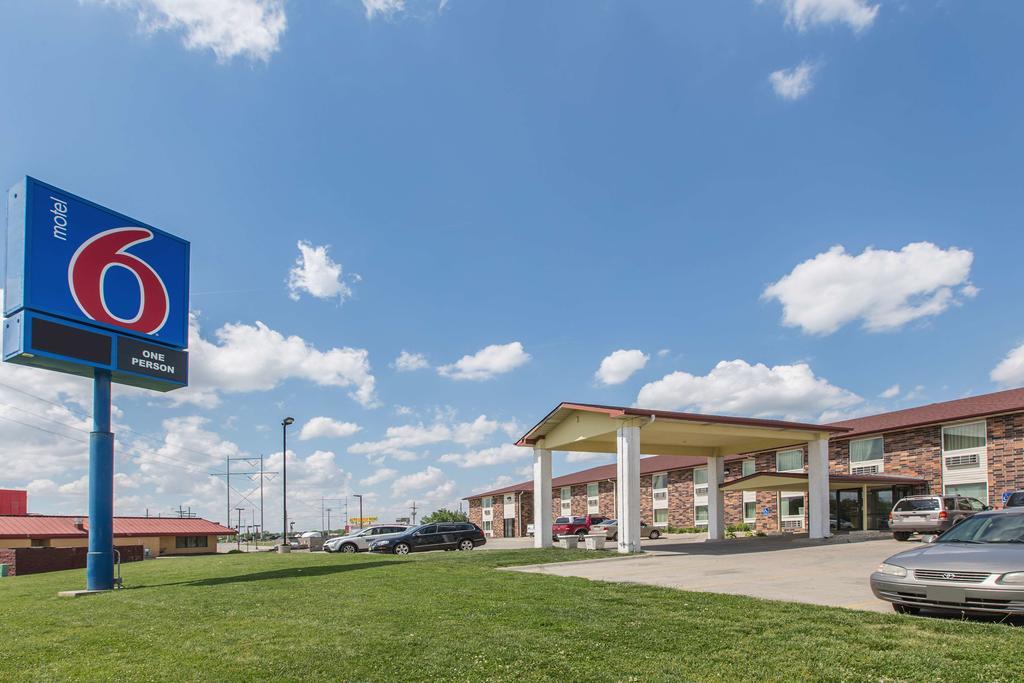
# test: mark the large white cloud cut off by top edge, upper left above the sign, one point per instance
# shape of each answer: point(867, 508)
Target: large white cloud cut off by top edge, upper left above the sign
point(251, 29)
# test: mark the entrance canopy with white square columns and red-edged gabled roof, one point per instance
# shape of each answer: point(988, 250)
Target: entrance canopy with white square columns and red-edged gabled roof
point(632, 432)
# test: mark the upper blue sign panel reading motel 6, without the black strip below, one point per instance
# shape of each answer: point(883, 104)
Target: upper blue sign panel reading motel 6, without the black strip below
point(76, 261)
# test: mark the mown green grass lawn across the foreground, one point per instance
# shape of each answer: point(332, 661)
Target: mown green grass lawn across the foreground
point(454, 617)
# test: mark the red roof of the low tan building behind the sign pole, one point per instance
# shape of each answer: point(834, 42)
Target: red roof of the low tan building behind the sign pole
point(54, 527)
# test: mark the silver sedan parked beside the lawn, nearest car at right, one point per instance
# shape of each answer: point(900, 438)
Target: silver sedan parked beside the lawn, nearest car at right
point(976, 567)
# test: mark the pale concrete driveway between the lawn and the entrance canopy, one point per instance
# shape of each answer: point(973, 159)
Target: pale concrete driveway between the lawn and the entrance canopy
point(781, 569)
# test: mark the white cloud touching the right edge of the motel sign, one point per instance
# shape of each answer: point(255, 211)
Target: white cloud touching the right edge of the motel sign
point(254, 358)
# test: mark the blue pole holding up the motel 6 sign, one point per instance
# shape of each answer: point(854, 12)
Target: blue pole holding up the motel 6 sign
point(100, 562)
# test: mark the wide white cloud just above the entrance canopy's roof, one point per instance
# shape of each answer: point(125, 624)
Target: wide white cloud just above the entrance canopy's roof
point(736, 388)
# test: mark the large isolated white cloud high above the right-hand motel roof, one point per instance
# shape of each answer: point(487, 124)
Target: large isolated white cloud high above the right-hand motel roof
point(885, 289)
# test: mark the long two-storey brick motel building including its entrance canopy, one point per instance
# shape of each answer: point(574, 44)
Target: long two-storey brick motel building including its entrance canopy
point(712, 472)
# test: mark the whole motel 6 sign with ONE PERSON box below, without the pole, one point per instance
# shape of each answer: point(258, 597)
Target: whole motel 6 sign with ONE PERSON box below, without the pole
point(89, 288)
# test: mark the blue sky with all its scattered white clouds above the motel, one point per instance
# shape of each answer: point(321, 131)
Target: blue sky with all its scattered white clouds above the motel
point(790, 208)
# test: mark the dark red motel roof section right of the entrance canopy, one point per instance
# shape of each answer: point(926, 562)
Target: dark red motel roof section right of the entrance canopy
point(1011, 401)
